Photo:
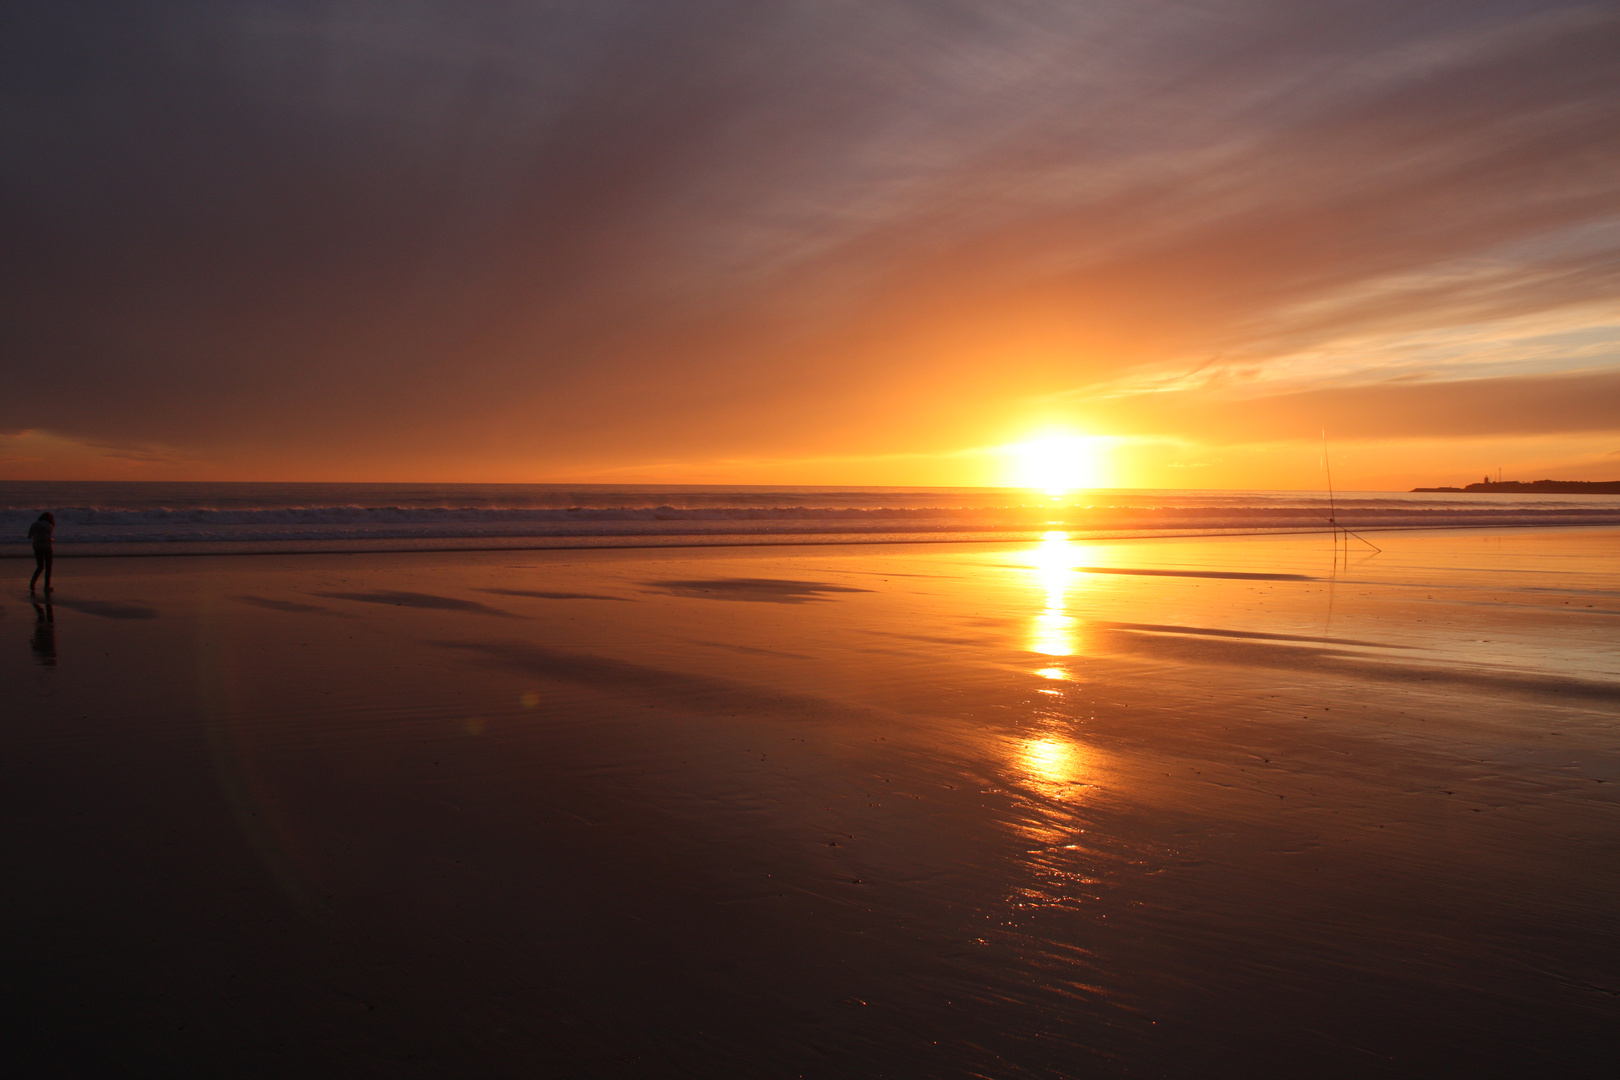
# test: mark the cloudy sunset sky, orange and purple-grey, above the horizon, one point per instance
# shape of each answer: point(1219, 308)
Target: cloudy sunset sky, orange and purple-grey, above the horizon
point(804, 242)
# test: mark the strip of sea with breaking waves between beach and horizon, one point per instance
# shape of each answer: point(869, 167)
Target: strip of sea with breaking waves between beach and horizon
point(142, 517)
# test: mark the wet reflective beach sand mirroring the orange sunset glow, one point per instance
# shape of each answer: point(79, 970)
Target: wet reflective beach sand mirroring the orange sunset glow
point(1166, 809)
